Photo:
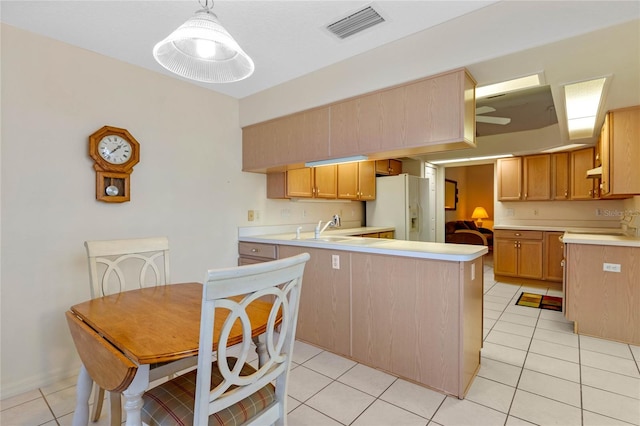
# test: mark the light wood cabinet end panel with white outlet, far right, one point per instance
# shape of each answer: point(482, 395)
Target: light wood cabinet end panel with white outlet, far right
point(602, 303)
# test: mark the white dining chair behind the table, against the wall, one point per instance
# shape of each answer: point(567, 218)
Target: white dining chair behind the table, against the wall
point(120, 265)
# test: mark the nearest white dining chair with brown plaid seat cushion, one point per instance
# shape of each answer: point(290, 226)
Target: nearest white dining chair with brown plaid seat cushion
point(229, 391)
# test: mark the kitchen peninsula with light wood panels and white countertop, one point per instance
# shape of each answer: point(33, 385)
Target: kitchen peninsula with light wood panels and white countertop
point(411, 308)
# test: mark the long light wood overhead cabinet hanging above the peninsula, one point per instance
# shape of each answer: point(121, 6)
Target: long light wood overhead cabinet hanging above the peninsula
point(432, 114)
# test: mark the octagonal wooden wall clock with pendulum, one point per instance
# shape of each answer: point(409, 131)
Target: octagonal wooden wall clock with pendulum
point(114, 152)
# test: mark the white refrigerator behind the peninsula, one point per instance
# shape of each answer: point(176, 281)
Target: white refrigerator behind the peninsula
point(402, 201)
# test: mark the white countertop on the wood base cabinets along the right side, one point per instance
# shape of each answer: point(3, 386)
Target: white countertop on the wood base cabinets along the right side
point(583, 235)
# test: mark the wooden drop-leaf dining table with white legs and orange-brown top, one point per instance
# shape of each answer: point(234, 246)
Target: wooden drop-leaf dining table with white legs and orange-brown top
point(119, 336)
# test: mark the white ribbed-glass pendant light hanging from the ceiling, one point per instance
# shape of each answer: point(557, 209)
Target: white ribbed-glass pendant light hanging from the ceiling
point(202, 50)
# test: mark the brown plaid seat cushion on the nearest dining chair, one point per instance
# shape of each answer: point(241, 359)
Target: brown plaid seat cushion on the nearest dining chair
point(172, 402)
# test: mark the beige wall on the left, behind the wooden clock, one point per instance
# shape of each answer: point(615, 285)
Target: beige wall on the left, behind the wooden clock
point(187, 186)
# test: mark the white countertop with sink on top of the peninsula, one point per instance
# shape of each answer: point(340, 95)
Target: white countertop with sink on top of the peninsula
point(417, 249)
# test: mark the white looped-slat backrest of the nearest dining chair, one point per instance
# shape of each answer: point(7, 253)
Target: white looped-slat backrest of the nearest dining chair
point(280, 280)
